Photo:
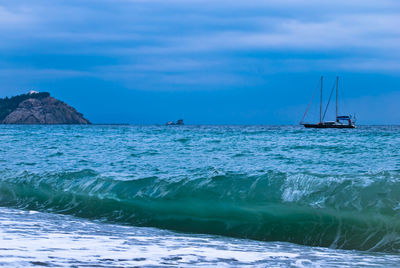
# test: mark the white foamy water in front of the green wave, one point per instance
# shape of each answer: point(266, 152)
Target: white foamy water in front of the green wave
point(61, 240)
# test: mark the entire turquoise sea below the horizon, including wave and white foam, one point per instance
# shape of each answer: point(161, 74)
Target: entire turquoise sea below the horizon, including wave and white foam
point(208, 196)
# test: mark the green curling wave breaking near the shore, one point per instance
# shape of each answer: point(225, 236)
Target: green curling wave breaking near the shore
point(342, 211)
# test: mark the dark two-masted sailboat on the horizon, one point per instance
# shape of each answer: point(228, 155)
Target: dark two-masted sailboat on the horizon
point(342, 121)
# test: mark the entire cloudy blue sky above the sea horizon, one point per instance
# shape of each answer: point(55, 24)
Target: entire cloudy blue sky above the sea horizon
point(208, 62)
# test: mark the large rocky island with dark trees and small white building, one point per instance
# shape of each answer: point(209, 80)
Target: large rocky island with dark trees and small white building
point(38, 108)
